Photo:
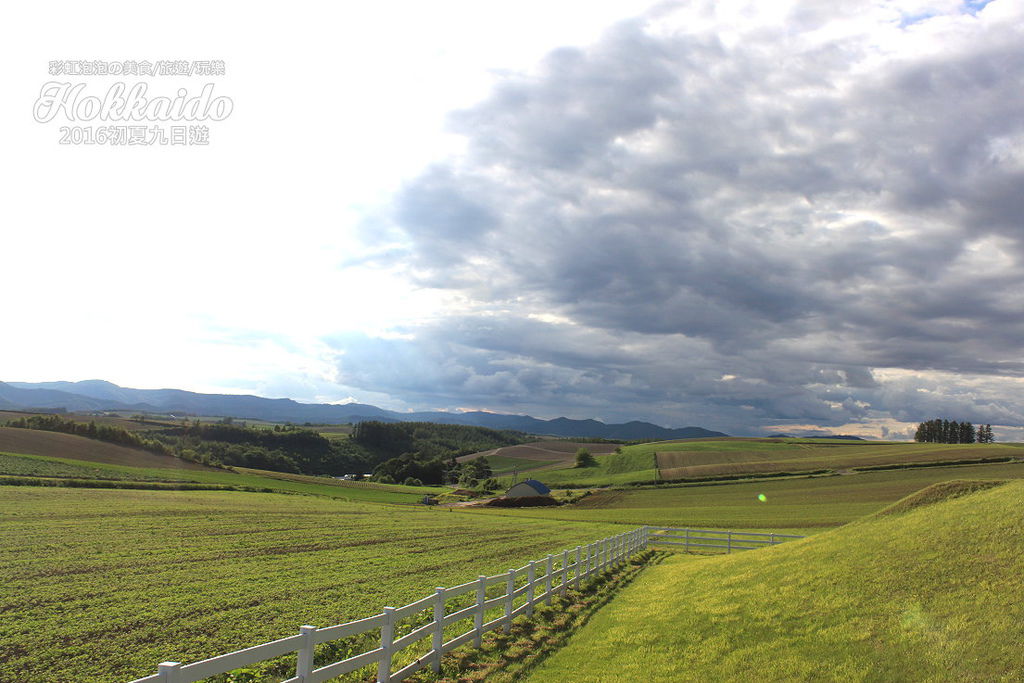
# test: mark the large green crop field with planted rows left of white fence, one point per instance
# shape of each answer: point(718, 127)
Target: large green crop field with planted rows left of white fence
point(109, 584)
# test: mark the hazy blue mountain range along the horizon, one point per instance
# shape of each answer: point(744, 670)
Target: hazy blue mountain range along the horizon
point(101, 396)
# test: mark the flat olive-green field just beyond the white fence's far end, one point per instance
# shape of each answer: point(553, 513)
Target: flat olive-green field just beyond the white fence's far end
point(790, 503)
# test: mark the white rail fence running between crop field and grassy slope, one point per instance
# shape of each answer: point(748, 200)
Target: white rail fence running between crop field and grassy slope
point(532, 584)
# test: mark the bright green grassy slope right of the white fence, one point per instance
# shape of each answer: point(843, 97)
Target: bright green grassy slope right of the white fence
point(933, 594)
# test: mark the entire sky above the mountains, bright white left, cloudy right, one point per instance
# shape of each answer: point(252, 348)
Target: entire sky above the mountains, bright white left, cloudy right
point(755, 218)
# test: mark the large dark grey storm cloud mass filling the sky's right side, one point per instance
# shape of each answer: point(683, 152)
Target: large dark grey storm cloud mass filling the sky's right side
point(739, 232)
